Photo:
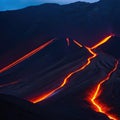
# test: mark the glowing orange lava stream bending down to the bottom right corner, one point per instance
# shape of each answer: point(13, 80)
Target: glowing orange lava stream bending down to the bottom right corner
point(98, 106)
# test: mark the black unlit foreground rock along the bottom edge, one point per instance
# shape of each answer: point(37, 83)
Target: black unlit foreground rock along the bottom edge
point(17, 109)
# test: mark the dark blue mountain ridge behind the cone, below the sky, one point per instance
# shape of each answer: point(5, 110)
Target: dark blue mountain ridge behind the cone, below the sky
point(29, 27)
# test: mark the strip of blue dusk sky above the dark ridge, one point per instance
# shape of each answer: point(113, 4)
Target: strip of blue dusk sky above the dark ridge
point(18, 4)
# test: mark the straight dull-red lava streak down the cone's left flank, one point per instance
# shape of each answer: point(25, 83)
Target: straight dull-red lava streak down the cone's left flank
point(25, 56)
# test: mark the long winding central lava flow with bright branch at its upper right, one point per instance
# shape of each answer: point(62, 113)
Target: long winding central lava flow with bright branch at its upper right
point(50, 93)
